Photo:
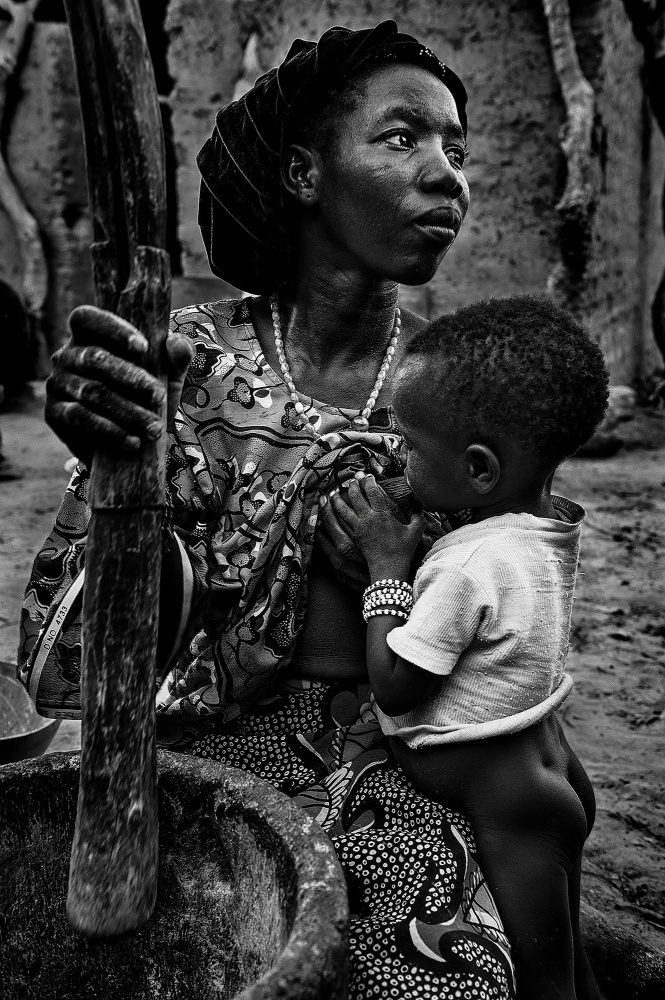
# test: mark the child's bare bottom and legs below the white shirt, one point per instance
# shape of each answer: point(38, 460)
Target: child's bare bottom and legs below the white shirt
point(530, 827)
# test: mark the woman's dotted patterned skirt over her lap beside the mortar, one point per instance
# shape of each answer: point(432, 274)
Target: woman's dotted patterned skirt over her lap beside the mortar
point(423, 924)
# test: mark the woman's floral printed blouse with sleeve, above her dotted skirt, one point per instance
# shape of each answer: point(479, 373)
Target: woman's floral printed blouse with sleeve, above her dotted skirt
point(243, 481)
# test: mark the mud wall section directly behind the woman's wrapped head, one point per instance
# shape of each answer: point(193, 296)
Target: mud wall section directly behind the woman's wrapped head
point(509, 238)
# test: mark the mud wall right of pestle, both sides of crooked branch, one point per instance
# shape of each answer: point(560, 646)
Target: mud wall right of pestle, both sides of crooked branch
point(516, 173)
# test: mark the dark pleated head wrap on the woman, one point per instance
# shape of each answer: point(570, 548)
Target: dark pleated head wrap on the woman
point(243, 209)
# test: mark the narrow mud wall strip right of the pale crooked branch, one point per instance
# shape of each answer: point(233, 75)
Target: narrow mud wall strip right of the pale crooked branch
point(628, 250)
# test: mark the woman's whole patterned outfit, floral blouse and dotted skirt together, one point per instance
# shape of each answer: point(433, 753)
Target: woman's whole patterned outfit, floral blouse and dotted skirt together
point(243, 481)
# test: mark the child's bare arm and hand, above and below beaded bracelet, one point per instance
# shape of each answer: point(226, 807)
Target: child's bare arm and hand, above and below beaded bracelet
point(388, 546)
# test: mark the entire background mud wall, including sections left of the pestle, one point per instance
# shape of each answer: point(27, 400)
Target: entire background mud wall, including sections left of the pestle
point(209, 50)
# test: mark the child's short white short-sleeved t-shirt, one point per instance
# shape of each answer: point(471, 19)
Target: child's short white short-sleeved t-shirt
point(491, 616)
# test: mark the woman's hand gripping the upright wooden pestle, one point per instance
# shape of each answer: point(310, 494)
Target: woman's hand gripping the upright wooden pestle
point(100, 395)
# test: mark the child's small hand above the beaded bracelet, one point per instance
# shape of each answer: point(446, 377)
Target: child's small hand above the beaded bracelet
point(387, 544)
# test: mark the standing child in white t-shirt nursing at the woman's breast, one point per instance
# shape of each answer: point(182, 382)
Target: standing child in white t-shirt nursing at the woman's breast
point(467, 672)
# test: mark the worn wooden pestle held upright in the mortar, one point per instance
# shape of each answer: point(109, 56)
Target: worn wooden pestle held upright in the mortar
point(113, 871)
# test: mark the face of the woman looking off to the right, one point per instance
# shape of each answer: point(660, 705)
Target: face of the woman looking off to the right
point(391, 191)
